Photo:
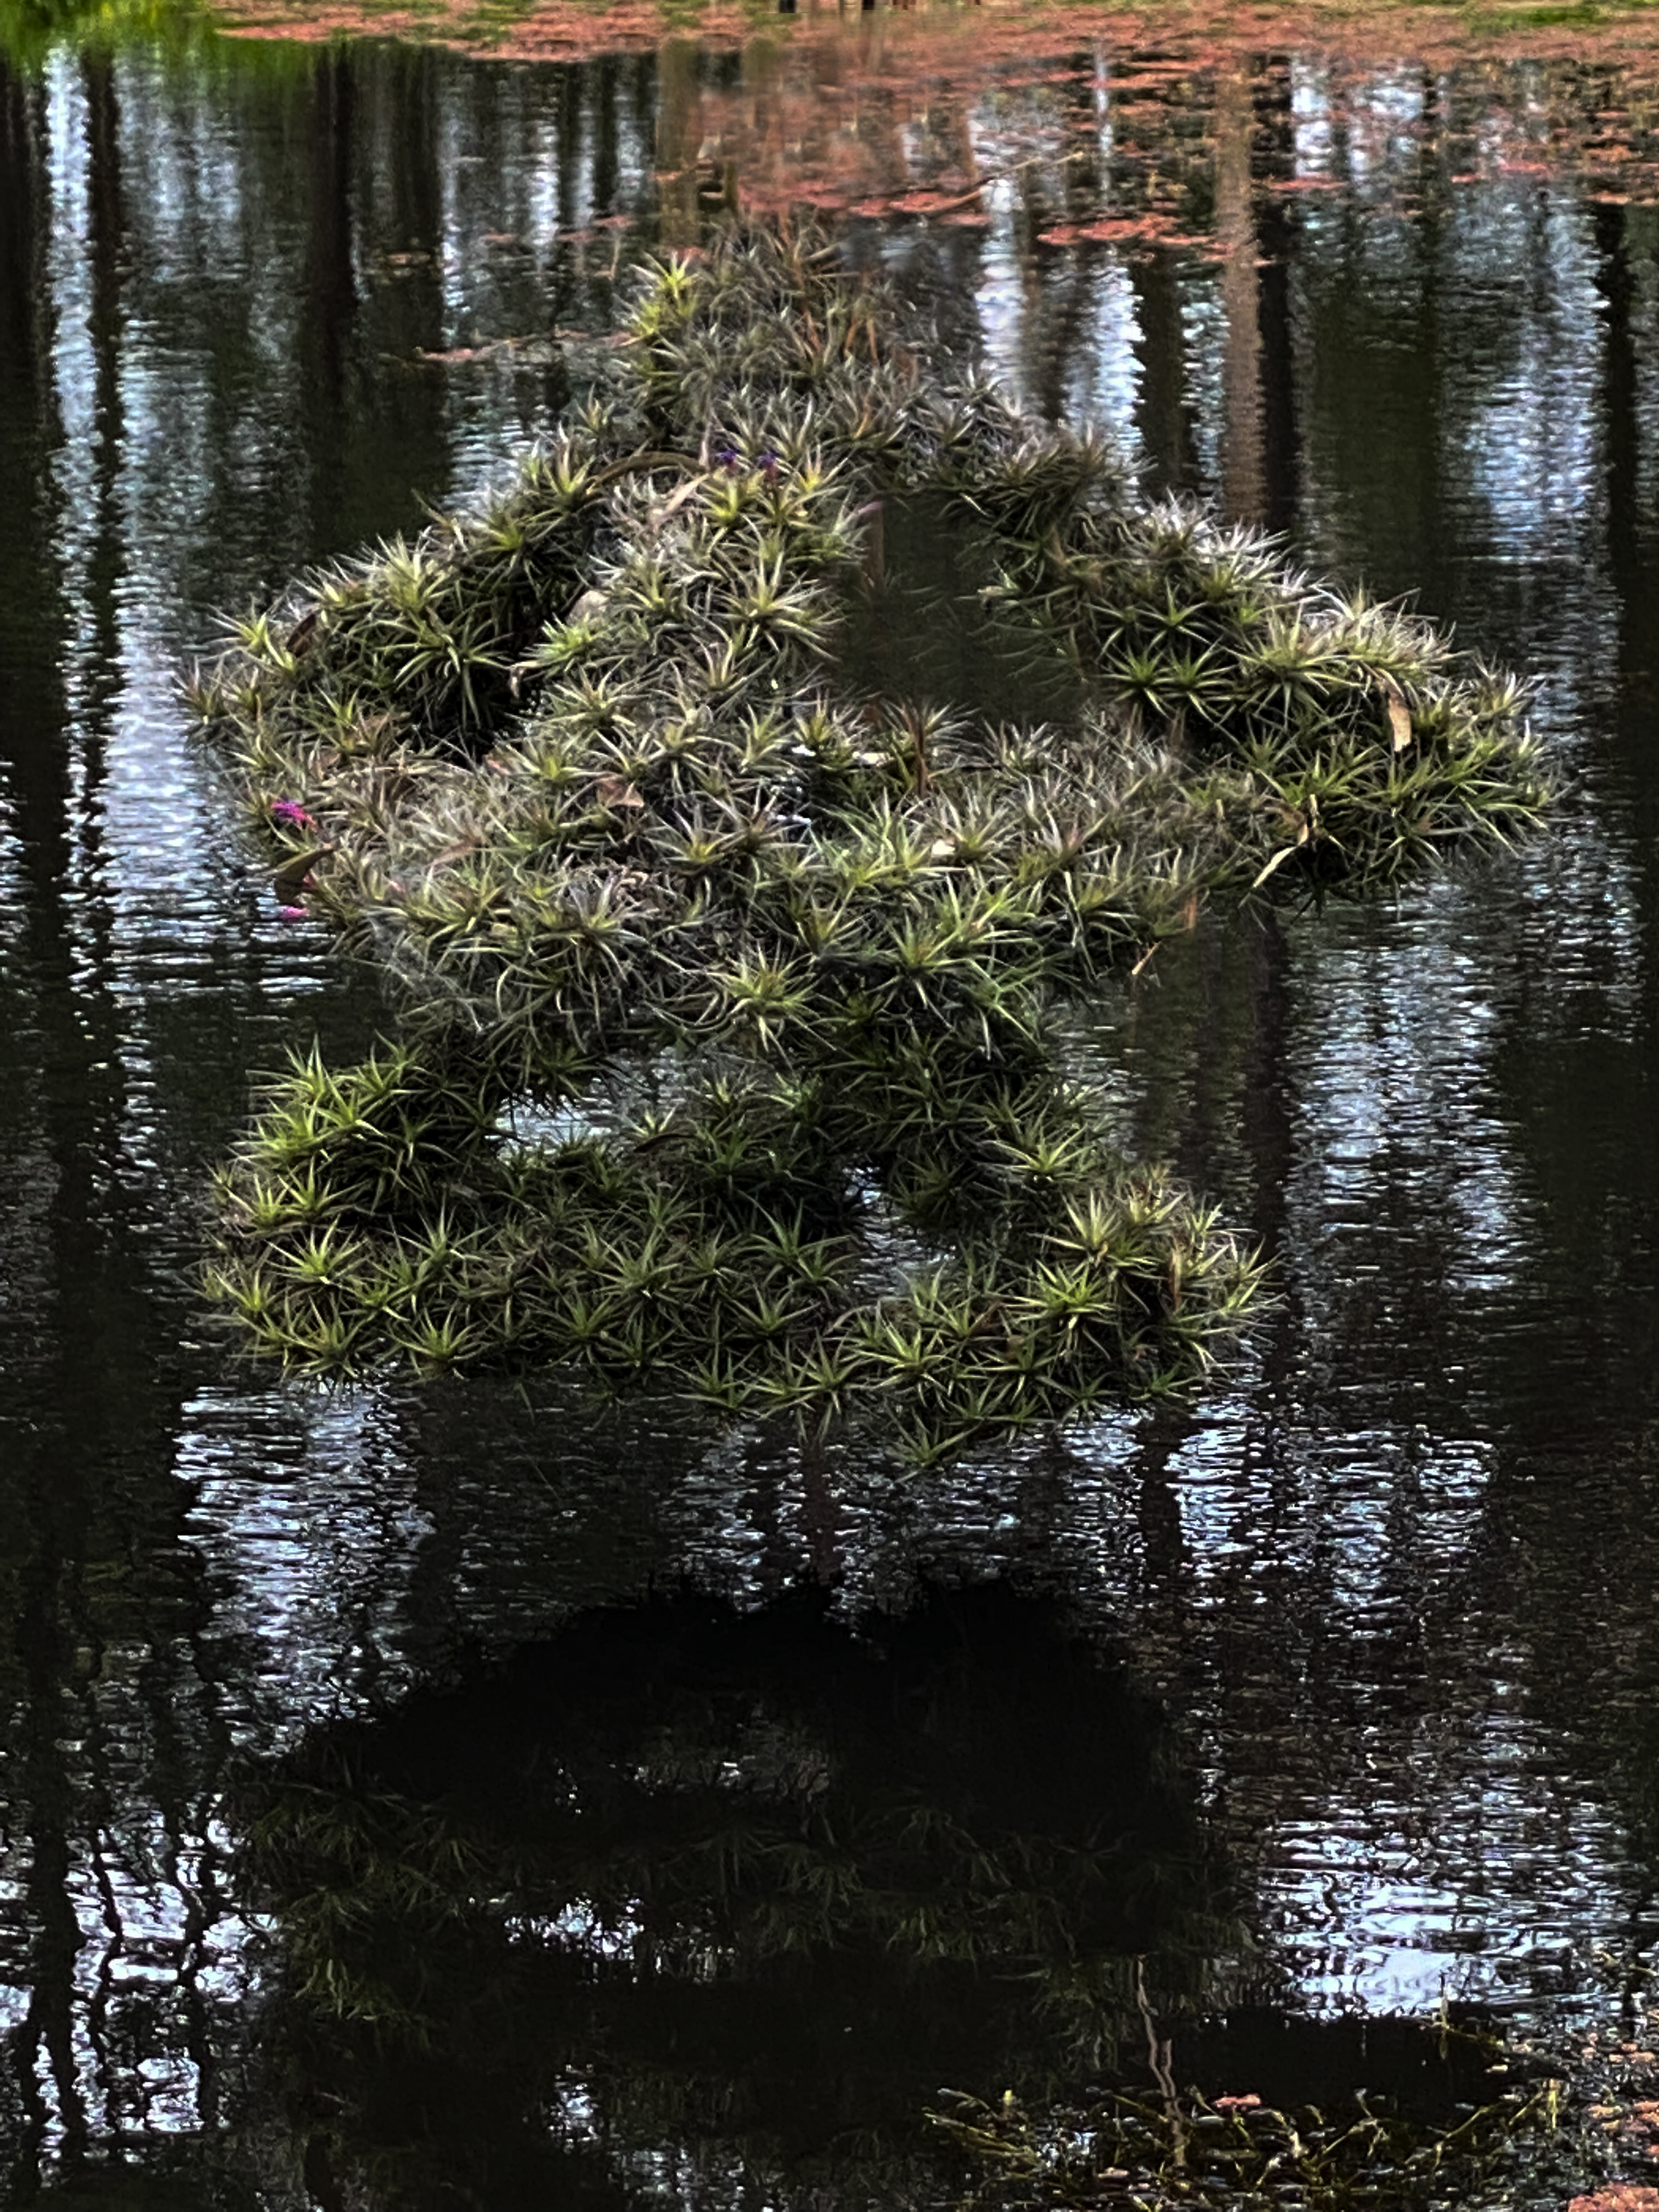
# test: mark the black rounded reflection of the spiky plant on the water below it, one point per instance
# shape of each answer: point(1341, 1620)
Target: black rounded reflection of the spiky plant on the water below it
point(729, 1888)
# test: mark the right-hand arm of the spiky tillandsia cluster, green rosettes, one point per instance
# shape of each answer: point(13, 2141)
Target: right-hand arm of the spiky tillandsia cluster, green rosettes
point(1342, 742)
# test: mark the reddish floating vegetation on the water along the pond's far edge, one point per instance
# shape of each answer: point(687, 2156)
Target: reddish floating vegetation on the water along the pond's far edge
point(1096, 127)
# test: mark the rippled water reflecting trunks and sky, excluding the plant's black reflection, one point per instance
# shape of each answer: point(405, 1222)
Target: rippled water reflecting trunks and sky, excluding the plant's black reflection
point(1395, 1578)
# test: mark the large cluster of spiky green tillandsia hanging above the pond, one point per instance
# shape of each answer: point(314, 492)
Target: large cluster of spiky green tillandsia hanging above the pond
point(727, 992)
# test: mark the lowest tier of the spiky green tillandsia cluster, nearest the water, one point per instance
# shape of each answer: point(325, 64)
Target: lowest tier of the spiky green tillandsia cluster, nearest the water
point(722, 1246)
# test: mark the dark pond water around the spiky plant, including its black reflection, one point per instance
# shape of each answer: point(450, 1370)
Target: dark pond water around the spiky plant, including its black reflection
point(1350, 1665)
